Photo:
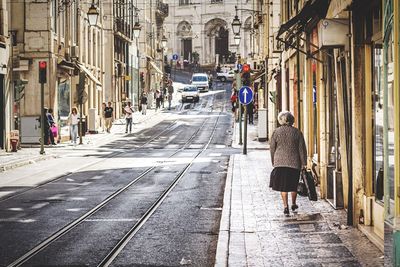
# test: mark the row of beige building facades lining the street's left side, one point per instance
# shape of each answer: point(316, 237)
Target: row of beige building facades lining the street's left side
point(105, 55)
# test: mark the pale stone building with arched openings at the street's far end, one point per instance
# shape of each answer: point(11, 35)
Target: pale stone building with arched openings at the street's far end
point(204, 28)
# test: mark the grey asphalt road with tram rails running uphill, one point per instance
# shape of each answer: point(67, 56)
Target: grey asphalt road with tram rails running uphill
point(186, 154)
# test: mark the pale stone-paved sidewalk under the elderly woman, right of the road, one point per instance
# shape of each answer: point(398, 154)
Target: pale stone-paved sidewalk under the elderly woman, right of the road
point(254, 231)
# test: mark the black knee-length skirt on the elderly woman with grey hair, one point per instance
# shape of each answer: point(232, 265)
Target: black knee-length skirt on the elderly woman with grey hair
point(284, 179)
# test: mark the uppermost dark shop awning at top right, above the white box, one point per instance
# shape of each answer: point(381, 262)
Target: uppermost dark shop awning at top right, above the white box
point(313, 10)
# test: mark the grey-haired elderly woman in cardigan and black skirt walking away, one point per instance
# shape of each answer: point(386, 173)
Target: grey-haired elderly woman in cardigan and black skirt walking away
point(289, 156)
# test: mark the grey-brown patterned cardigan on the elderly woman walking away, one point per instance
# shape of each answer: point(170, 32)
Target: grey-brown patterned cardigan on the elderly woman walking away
point(288, 148)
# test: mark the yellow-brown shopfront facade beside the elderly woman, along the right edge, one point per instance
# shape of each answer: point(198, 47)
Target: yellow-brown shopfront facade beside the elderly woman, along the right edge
point(338, 73)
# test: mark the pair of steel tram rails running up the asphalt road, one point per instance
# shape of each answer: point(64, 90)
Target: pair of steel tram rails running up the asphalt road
point(114, 252)
